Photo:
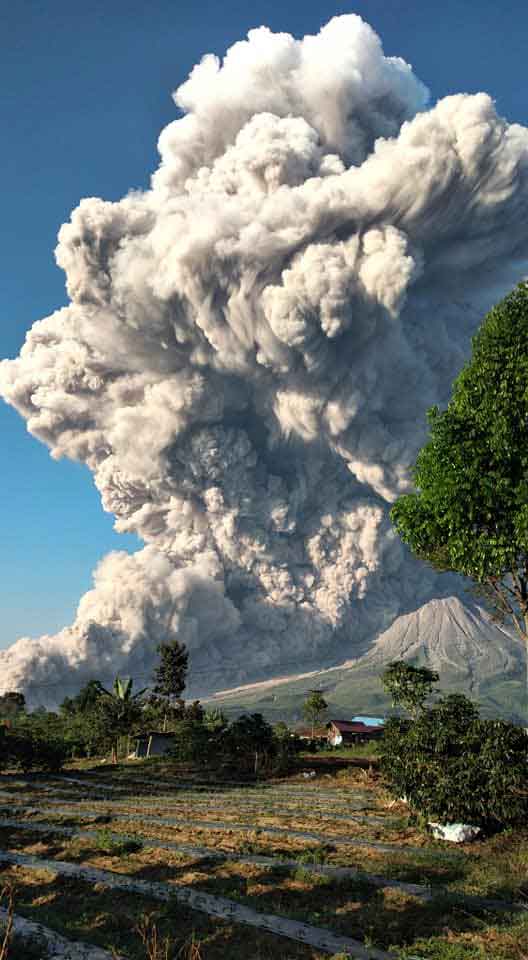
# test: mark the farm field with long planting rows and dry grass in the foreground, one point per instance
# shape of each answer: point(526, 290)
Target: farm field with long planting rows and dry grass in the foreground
point(290, 868)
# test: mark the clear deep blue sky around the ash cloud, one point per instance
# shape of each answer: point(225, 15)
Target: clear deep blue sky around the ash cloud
point(85, 90)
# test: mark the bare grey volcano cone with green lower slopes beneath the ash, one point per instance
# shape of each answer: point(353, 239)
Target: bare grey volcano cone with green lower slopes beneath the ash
point(472, 654)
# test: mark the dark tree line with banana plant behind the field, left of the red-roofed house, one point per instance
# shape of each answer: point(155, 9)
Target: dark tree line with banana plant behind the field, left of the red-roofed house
point(100, 721)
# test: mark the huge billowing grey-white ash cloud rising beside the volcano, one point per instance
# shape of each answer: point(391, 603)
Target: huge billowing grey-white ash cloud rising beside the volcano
point(250, 349)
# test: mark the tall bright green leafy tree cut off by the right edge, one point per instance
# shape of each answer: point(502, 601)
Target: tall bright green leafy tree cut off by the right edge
point(470, 512)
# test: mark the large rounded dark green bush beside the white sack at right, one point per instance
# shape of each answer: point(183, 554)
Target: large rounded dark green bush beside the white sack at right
point(453, 766)
